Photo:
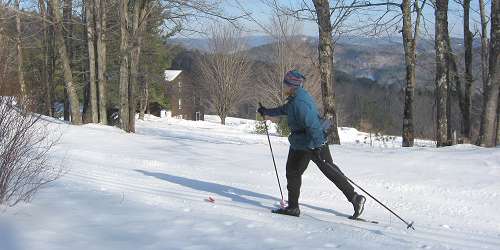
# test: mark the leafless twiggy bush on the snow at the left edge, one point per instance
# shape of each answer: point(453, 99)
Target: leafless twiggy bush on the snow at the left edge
point(25, 143)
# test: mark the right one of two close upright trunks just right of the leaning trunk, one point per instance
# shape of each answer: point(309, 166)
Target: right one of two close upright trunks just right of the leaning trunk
point(101, 59)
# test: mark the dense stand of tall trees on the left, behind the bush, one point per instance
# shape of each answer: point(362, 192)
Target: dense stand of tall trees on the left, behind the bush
point(93, 60)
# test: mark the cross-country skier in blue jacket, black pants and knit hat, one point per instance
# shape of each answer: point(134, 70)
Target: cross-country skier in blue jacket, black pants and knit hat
point(307, 142)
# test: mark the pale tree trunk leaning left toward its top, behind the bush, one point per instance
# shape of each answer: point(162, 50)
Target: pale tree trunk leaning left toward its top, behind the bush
point(68, 77)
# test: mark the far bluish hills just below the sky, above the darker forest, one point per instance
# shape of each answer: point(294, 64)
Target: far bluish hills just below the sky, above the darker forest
point(380, 59)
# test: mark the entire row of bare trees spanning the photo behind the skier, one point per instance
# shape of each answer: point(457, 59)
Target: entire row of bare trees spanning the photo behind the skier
point(84, 51)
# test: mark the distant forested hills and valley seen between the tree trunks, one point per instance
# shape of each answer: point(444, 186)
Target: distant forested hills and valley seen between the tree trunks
point(369, 78)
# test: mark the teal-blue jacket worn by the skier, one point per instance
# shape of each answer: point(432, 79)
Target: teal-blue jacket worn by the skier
point(303, 120)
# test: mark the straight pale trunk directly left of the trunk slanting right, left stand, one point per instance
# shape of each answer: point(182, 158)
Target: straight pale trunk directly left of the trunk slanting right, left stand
point(124, 67)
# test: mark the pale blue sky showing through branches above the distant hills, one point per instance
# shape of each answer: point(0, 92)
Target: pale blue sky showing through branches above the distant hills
point(263, 13)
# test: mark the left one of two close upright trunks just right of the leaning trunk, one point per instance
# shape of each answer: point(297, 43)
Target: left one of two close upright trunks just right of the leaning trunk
point(89, 13)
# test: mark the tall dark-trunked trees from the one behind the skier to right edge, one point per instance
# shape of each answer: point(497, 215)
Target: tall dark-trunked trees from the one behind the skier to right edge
point(332, 19)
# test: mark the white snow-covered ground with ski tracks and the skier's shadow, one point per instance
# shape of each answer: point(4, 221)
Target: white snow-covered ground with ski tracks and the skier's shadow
point(148, 191)
